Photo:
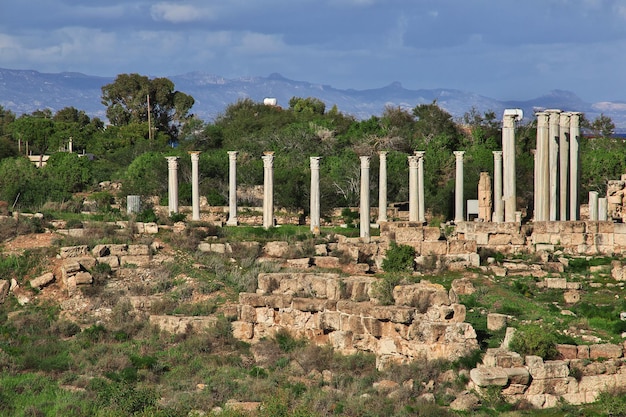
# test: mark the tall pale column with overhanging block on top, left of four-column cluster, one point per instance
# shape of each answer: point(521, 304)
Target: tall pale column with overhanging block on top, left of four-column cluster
point(509, 192)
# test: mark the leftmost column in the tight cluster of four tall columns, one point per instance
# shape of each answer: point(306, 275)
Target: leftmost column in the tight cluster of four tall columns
point(542, 171)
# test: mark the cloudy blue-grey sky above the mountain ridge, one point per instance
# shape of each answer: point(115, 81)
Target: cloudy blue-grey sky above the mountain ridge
point(504, 49)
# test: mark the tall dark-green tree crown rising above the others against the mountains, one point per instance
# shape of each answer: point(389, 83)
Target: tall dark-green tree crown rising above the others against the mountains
point(126, 100)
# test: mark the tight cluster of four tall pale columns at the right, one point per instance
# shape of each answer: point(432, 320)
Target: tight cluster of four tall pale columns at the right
point(556, 166)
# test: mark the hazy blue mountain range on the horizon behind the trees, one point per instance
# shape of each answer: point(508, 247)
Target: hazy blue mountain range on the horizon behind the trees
point(24, 91)
